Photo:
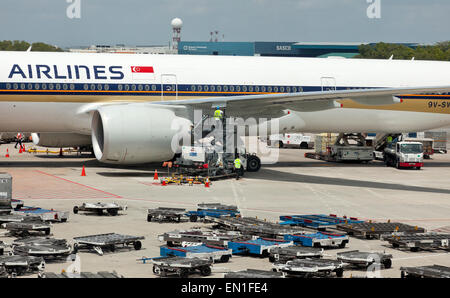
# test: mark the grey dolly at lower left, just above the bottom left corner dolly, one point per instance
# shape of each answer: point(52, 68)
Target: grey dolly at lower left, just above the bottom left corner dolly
point(47, 248)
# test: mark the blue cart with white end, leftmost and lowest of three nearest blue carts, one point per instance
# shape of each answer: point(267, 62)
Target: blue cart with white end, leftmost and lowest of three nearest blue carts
point(213, 253)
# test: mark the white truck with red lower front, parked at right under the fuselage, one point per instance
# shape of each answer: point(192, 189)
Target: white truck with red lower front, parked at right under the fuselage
point(404, 155)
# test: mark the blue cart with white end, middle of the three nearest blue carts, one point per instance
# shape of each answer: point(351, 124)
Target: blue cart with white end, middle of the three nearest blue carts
point(257, 247)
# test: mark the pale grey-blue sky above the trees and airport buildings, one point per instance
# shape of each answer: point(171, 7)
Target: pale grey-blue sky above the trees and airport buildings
point(147, 22)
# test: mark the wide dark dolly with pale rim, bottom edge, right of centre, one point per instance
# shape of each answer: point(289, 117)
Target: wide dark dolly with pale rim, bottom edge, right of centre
point(311, 267)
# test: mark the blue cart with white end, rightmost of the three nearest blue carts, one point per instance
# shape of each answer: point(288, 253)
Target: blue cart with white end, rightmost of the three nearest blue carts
point(319, 239)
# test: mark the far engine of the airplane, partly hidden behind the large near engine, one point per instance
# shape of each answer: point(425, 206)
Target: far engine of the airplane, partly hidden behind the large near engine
point(61, 139)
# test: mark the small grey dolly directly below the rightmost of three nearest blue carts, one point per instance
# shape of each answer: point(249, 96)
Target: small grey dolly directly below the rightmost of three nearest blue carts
point(284, 254)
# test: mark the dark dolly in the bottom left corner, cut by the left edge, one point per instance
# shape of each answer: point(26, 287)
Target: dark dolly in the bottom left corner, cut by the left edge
point(18, 265)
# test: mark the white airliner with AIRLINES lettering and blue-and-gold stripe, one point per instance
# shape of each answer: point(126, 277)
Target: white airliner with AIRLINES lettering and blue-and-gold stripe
point(130, 106)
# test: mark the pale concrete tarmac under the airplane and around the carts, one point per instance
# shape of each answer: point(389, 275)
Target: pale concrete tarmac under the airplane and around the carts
point(293, 185)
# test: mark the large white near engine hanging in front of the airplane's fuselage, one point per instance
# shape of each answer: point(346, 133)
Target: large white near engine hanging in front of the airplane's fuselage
point(137, 133)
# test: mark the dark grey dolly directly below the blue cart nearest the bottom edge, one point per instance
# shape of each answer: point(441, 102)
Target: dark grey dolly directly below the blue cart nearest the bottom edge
point(182, 267)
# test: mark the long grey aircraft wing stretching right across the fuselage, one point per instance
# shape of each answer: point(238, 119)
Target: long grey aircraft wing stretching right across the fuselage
point(273, 105)
